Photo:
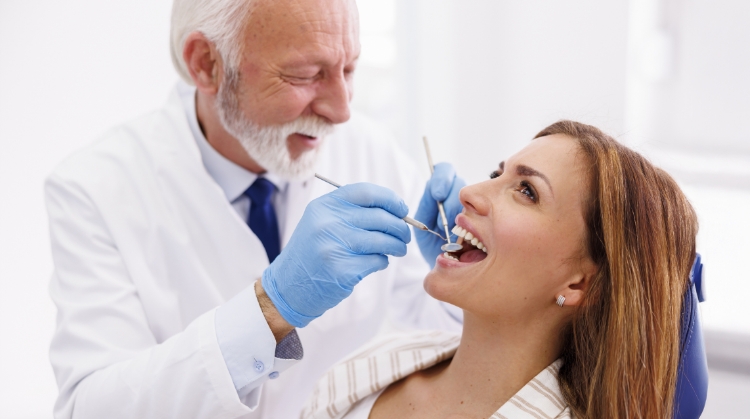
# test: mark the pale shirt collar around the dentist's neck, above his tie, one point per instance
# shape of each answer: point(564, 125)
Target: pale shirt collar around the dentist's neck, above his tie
point(233, 179)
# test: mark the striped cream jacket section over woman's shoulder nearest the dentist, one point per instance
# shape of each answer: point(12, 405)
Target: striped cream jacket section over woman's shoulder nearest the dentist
point(376, 365)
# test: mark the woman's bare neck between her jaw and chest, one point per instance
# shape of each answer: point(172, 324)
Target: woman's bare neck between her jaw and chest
point(495, 360)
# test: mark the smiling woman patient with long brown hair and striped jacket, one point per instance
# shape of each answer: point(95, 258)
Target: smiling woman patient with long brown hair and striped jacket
point(571, 310)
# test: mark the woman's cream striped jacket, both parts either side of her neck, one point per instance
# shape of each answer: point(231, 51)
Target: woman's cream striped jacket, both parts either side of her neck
point(393, 357)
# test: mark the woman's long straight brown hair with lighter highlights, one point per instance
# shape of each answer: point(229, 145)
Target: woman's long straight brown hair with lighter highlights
point(621, 353)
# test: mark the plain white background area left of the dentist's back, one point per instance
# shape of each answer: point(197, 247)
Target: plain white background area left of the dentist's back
point(69, 71)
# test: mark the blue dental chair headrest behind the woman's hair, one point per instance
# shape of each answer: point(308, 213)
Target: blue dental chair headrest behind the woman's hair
point(692, 379)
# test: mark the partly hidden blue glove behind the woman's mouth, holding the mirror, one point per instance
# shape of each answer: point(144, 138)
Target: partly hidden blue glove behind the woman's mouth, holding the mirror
point(443, 186)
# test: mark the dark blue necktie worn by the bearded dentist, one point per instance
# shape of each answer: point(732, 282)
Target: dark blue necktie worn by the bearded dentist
point(262, 218)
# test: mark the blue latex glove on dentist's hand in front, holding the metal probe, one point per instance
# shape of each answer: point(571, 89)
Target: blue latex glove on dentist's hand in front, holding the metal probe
point(342, 237)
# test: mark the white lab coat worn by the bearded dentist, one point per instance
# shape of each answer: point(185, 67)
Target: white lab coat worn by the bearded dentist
point(146, 246)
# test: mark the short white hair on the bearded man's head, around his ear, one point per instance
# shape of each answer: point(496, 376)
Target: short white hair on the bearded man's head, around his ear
point(221, 21)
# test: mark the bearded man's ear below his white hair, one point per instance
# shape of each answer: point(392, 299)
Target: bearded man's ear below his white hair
point(203, 63)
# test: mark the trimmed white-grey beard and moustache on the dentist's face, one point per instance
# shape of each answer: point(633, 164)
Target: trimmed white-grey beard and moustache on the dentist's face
point(267, 146)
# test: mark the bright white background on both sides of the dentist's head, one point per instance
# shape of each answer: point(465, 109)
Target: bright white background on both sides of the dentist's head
point(480, 78)
